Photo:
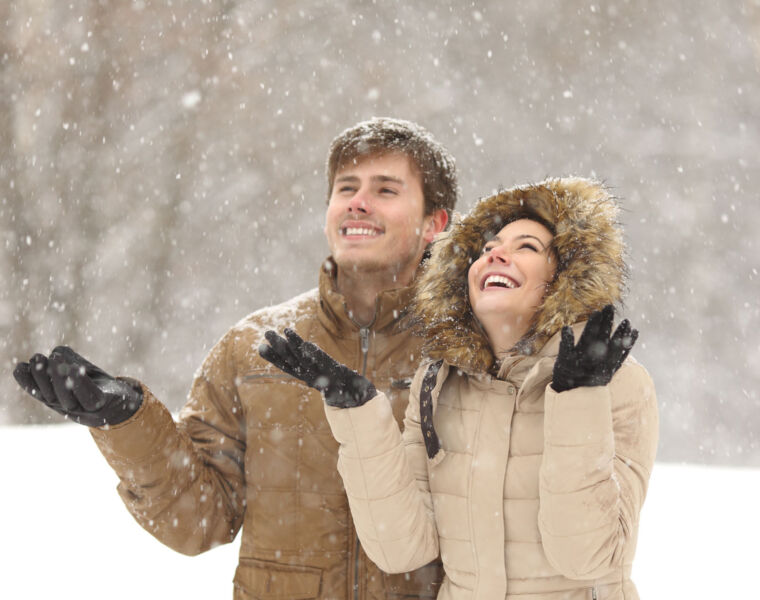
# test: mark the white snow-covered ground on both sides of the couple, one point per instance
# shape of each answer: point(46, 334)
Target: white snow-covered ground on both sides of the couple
point(64, 531)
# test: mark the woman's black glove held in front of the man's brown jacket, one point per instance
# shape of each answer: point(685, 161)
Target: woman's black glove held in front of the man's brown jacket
point(341, 386)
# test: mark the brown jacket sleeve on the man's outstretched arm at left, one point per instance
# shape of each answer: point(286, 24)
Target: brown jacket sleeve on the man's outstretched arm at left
point(184, 481)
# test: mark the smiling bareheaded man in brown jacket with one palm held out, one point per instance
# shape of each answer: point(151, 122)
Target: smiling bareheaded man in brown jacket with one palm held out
point(252, 447)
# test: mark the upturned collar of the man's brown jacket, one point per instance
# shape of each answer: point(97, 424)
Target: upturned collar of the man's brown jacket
point(391, 306)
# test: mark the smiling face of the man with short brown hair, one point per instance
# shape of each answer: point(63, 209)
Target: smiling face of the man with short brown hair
point(375, 223)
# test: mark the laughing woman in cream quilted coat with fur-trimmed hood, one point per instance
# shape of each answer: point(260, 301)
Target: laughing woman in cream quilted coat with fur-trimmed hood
point(525, 457)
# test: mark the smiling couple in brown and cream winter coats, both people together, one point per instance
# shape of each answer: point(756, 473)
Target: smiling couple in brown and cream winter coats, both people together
point(526, 461)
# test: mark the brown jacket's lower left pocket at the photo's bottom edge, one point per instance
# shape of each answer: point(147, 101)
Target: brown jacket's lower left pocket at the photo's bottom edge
point(275, 581)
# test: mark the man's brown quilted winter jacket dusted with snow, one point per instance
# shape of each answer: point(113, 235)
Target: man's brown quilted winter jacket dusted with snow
point(252, 448)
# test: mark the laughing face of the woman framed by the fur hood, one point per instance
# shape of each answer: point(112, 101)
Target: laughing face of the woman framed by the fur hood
point(508, 282)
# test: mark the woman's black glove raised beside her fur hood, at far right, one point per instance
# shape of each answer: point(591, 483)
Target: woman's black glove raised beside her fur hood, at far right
point(597, 356)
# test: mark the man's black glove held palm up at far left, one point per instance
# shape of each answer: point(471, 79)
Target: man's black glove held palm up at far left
point(77, 389)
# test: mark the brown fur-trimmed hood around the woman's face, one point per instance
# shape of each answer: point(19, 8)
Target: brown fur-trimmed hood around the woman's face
point(591, 271)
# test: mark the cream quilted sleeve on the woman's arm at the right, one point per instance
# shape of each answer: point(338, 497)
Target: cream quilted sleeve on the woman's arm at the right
point(599, 449)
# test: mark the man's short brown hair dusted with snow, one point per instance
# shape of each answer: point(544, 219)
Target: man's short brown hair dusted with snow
point(383, 135)
